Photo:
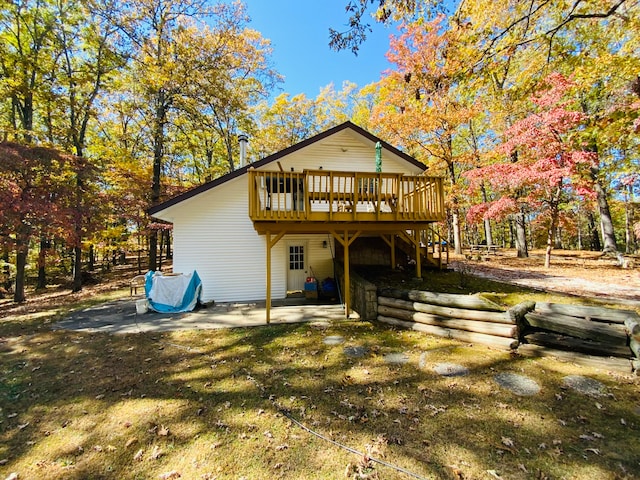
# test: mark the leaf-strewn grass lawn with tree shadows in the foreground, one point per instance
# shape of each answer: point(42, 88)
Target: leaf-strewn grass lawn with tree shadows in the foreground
point(232, 404)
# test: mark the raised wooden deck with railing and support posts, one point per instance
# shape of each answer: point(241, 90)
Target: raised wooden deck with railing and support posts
point(345, 205)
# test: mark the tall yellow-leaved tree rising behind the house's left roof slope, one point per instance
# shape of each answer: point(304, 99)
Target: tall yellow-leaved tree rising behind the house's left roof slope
point(175, 59)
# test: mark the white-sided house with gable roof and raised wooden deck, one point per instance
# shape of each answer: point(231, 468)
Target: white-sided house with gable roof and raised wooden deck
point(260, 231)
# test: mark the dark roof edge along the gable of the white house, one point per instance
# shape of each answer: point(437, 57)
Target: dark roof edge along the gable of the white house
point(278, 155)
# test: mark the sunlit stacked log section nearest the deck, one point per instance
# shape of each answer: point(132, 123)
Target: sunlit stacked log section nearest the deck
point(468, 318)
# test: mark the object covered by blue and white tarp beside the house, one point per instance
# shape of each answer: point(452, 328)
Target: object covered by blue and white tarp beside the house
point(172, 293)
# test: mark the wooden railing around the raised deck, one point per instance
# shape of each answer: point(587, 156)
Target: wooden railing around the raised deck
point(335, 196)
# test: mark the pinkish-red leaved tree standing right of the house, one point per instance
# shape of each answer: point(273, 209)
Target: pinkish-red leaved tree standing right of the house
point(542, 164)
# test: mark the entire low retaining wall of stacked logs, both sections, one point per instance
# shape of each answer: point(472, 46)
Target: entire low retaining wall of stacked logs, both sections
point(595, 336)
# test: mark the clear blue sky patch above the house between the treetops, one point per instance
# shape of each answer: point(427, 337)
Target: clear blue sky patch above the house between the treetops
point(299, 33)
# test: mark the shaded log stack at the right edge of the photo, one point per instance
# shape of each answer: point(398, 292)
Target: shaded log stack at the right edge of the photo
point(596, 336)
